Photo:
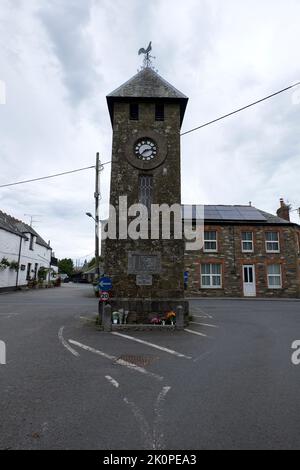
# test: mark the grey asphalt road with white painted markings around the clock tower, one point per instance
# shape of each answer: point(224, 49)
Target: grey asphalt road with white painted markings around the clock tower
point(228, 383)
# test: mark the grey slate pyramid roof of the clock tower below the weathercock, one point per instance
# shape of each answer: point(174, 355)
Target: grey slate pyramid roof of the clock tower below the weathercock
point(147, 85)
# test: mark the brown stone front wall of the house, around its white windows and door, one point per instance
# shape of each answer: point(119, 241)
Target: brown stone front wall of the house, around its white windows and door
point(232, 259)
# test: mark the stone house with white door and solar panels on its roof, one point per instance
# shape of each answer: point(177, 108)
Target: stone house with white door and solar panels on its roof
point(247, 253)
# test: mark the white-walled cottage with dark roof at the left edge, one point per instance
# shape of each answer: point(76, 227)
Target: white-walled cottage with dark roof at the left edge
point(22, 253)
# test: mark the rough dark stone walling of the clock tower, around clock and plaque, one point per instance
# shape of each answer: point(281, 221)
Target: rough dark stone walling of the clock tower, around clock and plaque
point(168, 283)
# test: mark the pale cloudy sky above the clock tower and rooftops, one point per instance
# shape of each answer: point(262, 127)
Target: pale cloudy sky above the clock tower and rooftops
point(60, 58)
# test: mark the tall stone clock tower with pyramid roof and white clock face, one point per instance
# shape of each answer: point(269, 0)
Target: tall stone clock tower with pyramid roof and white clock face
point(147, 274)
